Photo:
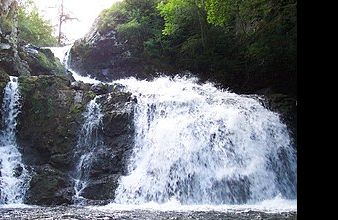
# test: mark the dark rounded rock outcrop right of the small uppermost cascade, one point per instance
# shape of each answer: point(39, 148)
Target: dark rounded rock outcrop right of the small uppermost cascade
point(105, 56)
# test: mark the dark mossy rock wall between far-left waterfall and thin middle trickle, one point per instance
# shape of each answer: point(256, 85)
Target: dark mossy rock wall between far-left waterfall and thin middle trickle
point(50, 118)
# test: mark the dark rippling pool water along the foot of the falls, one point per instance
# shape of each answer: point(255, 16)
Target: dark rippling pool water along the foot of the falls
point(64, 212)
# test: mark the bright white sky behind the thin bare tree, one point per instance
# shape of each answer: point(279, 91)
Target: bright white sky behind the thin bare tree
point(84, 10)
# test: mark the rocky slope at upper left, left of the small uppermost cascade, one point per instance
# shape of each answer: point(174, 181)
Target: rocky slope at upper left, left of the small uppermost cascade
point(18, 59)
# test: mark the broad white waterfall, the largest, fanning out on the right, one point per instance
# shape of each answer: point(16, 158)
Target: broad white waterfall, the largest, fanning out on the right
point(197, 144)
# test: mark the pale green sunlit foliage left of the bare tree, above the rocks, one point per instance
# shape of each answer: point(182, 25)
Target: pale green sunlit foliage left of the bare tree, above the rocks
point(34, 29)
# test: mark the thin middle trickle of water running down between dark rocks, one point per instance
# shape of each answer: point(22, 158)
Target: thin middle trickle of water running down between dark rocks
point(88, 143)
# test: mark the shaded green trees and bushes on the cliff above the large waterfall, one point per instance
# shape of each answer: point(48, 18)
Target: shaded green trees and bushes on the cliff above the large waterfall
point(247, 45)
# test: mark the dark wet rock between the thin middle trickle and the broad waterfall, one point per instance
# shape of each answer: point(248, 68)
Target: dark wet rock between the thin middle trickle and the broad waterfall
point(110, 159)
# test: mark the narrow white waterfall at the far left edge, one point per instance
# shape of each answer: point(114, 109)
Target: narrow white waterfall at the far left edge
point(14, 177)
